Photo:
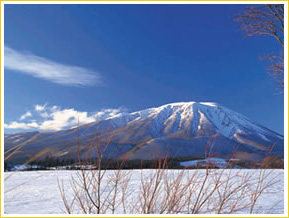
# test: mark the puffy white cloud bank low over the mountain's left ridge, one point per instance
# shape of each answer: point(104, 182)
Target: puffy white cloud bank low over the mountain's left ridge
point(53, 118)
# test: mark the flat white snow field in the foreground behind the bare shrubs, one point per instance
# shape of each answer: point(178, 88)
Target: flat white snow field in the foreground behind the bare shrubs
point(37, 192)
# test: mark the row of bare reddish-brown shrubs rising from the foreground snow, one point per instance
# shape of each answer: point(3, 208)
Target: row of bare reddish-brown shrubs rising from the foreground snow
point(161, 190)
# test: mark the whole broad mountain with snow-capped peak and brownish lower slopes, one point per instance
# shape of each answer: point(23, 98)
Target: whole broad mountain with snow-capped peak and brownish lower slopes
point(177, 130)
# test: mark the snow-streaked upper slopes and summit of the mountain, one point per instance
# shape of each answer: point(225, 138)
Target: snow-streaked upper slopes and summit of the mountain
point(197, 116)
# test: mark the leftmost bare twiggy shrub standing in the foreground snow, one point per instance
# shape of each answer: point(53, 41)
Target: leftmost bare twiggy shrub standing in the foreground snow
point(95, 189)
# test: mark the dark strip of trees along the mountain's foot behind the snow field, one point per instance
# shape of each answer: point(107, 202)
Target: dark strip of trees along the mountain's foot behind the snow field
point(50, 163)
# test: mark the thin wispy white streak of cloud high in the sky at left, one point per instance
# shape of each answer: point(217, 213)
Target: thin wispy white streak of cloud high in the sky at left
point(43, 68)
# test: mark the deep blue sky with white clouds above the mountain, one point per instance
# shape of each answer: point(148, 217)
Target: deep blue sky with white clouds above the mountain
point(131, 57)
